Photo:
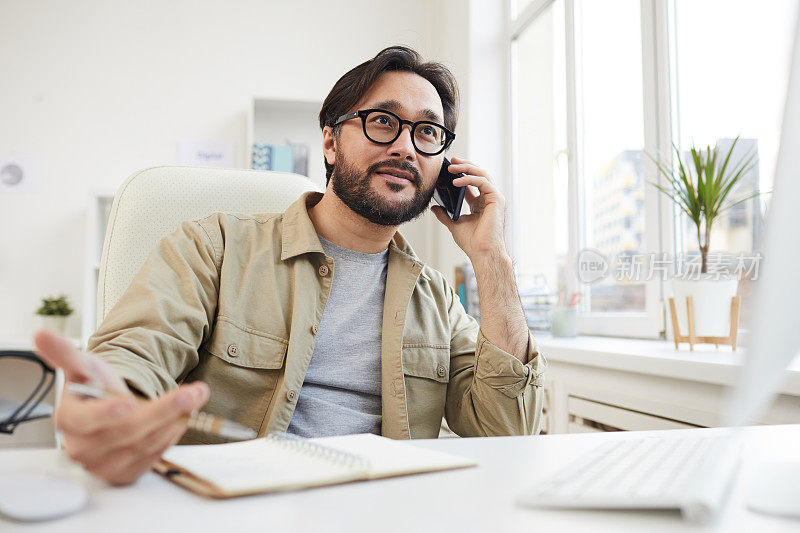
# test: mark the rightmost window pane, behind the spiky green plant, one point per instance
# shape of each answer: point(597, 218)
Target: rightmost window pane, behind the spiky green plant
point(732, 85)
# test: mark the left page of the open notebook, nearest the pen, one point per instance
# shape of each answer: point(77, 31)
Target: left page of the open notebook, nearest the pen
point(261, 465)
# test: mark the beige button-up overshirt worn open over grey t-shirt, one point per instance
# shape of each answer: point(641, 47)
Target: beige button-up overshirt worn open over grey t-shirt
point(235, 301)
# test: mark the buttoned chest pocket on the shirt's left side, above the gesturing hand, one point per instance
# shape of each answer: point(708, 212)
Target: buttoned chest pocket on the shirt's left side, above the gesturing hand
point(242, 368)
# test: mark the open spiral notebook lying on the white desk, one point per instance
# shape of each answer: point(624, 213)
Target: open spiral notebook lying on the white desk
point(280, 462)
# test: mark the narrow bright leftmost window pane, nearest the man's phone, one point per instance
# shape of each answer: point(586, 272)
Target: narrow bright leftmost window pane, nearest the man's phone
point(541, 160)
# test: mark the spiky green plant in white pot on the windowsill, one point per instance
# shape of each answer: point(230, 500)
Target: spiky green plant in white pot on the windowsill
point(704, 190)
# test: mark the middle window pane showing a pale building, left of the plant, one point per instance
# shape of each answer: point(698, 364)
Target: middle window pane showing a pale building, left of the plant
point(612, 138)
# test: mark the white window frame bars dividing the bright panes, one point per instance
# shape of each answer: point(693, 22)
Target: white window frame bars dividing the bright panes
point(658, 91)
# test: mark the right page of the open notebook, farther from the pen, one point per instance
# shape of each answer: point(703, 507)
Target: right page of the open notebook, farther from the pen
point(388, 457)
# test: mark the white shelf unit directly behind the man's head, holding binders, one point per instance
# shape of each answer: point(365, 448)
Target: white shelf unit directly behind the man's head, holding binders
point(279, 121)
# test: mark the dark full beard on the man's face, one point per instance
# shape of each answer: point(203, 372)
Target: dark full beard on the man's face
point(356, 192)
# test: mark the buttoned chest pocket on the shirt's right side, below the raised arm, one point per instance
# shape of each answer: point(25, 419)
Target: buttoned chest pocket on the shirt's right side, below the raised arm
point(426, 369)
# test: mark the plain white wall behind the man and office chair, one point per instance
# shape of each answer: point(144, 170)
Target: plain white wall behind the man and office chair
point(98, 89)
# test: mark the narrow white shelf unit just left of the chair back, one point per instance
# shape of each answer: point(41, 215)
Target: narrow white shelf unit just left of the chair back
point(96, 221)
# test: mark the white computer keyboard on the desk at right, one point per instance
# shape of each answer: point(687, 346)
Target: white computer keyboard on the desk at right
point(691, 474)
